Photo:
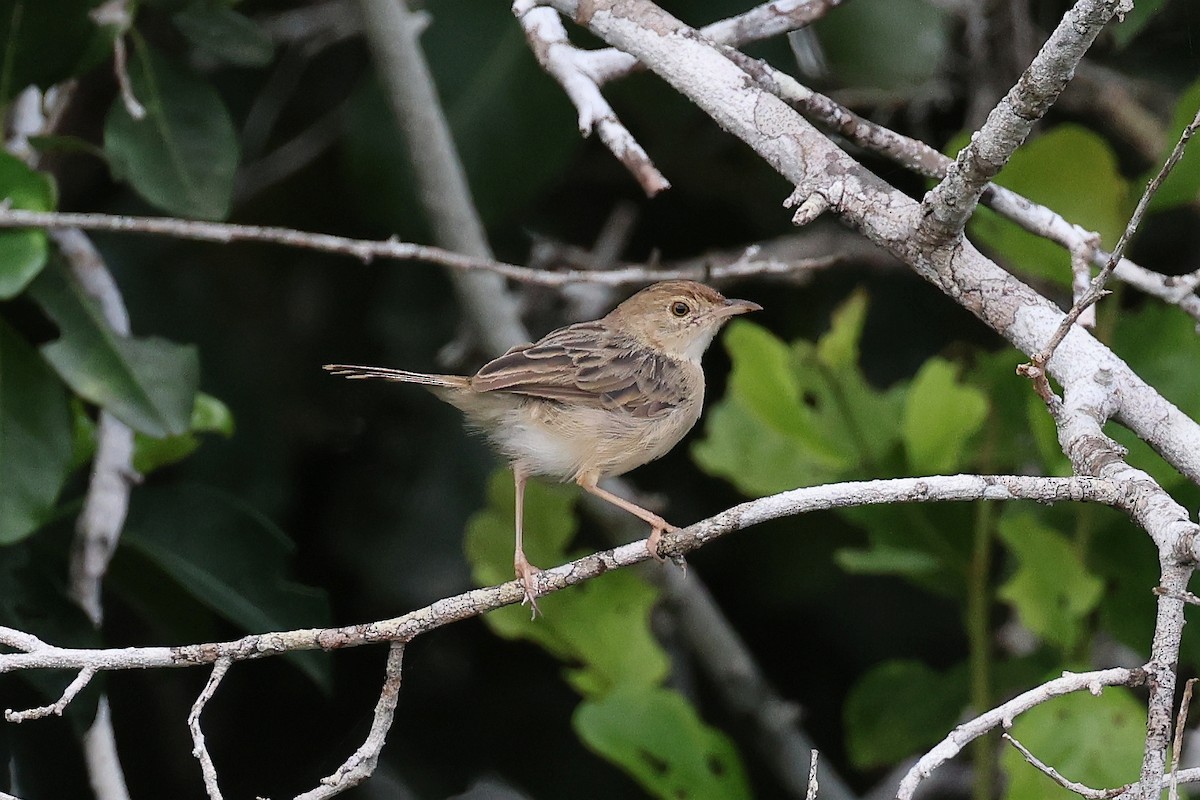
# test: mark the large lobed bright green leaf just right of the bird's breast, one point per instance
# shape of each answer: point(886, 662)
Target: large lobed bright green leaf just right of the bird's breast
point(801, 414)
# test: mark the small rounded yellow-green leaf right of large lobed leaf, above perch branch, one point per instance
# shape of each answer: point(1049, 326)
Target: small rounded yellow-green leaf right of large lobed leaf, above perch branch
point(940, 418)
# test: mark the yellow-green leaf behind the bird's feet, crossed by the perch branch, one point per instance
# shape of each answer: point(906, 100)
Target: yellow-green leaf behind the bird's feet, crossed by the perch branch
point(602, 629)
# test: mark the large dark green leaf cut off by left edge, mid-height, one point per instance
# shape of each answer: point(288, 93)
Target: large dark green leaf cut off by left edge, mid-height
point(35, 438)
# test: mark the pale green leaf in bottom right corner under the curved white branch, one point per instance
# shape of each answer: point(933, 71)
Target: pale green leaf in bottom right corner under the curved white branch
point(1093, 741)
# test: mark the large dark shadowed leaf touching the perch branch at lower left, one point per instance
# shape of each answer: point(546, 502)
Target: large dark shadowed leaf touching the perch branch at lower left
point(230, 558)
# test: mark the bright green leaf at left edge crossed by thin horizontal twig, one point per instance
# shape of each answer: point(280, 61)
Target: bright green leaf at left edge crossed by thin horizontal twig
point(22, 252)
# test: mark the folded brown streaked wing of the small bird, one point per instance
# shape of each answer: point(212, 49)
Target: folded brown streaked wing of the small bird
point(587, 364)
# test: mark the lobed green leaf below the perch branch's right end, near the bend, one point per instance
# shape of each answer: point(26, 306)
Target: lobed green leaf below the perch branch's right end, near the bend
point(1052, 590)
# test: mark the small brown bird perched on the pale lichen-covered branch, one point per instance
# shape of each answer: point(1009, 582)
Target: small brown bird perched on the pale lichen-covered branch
point(592, 400)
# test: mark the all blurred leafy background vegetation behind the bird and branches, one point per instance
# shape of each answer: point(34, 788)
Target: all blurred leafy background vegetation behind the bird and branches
point(284, 498)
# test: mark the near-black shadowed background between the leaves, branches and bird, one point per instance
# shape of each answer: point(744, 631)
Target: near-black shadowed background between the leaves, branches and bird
point(376, 484)
